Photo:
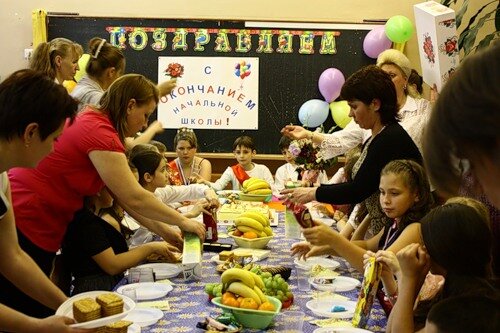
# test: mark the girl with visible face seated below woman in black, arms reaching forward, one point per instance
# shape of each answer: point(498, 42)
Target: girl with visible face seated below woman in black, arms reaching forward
point(405, 198)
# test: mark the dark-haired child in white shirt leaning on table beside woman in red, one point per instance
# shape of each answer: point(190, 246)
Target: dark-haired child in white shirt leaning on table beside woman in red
point(153, 176)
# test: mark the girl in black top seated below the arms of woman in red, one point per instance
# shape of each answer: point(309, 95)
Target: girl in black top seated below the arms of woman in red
point(95, 250)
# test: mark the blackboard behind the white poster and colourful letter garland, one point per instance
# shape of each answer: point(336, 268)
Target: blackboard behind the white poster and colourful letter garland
point(294, 76)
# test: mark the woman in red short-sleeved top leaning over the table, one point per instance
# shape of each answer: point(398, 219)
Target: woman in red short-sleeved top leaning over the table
point(89, 155)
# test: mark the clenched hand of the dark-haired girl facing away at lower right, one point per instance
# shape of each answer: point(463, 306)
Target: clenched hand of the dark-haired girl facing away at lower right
point(414, 262)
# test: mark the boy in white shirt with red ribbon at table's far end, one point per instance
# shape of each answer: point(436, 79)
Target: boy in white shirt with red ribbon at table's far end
point(244, 151)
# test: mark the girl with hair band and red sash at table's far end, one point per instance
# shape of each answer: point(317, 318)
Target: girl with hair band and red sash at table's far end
point(187, 166)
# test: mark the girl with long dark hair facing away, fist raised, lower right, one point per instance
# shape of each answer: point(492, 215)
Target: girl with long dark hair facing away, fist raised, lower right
point(456, 243)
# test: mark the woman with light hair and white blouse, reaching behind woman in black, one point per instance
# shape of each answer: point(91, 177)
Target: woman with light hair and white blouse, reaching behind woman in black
point(413, 112)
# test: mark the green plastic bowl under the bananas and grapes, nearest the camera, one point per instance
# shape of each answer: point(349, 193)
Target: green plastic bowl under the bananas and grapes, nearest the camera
point(258, 319)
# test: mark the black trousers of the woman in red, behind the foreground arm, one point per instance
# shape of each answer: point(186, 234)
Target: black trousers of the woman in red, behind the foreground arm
point(14, 298)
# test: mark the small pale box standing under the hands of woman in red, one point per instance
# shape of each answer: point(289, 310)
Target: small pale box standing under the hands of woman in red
point(192, 257)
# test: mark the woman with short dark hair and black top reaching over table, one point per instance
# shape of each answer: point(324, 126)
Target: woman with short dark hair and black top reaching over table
point(372, 98)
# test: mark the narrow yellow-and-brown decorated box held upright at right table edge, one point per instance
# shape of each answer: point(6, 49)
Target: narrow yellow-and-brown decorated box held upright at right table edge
point(367, 293)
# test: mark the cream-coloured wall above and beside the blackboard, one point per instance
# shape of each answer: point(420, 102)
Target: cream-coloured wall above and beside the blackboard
point(15, 16)
